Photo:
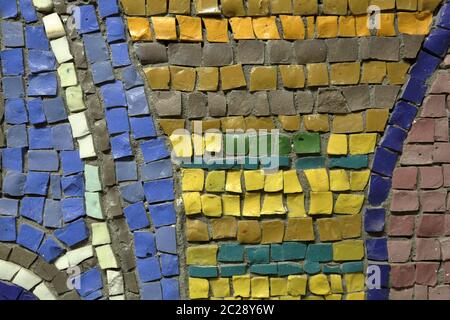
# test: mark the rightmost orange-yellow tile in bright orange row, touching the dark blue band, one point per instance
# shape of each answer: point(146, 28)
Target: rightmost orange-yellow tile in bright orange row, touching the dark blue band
point(414, 22)
